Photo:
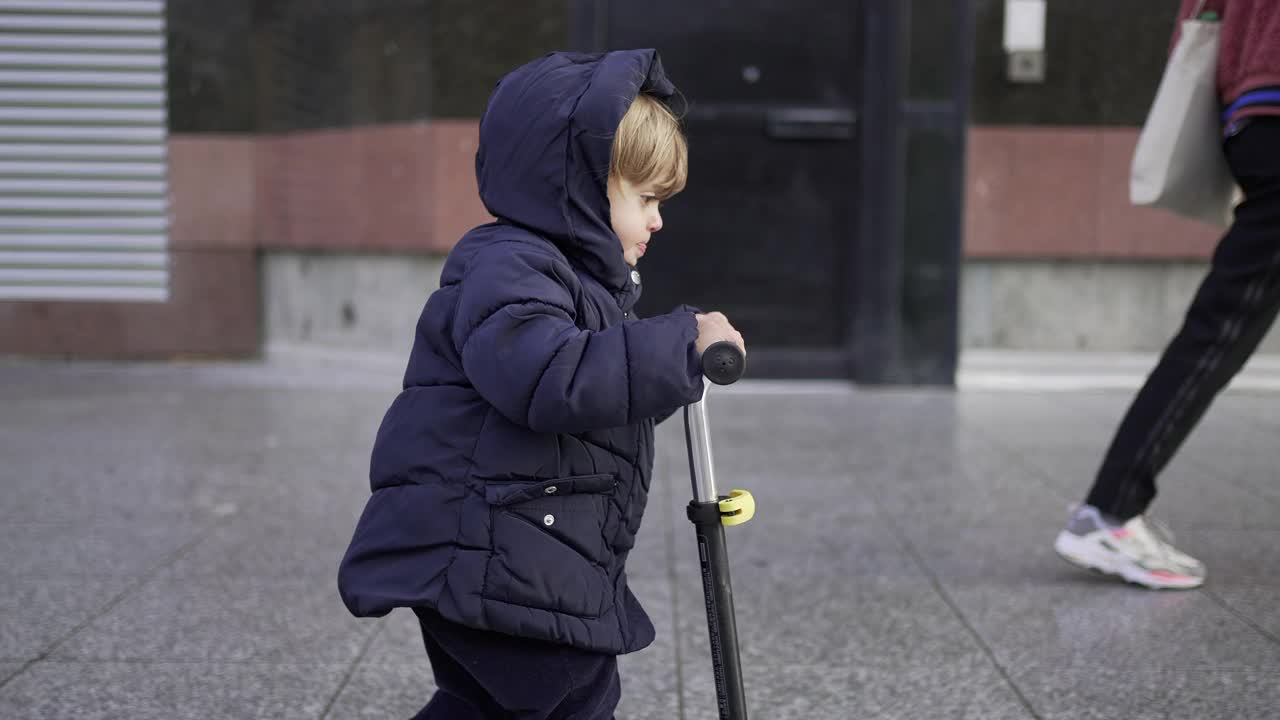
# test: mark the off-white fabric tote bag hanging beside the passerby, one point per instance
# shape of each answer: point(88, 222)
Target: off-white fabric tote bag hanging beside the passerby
point(1180, 165)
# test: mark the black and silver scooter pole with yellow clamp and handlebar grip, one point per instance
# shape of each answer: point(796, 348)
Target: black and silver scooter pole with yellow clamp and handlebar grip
point(724, 363)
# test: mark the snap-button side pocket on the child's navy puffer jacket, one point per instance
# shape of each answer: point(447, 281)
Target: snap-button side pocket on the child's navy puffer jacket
point(550, 550)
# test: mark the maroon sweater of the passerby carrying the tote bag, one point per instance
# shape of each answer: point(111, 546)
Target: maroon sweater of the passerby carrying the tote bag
point(1250, 57)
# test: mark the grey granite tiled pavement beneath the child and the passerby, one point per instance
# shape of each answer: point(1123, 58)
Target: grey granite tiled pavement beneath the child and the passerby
point(900, 564)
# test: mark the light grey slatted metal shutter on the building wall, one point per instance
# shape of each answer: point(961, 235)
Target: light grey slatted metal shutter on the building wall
point(84, 192)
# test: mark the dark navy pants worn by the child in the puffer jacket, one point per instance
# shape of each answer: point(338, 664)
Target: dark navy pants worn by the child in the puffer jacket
point(487, 676)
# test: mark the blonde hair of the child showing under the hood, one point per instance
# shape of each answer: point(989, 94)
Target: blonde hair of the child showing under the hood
point(650, 148)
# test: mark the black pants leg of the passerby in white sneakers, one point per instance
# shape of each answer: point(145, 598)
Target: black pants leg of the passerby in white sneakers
point(1229, 317)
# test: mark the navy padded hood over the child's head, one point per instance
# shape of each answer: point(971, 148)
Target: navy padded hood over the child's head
point(546, 140)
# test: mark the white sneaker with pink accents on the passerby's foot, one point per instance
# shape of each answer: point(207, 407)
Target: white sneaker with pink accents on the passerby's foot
point(1135, 552)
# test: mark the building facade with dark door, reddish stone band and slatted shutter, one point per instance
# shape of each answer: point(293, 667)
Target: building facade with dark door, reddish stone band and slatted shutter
point(870, 192)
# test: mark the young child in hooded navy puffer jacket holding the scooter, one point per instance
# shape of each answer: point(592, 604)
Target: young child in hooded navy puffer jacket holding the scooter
point(511, 475)
